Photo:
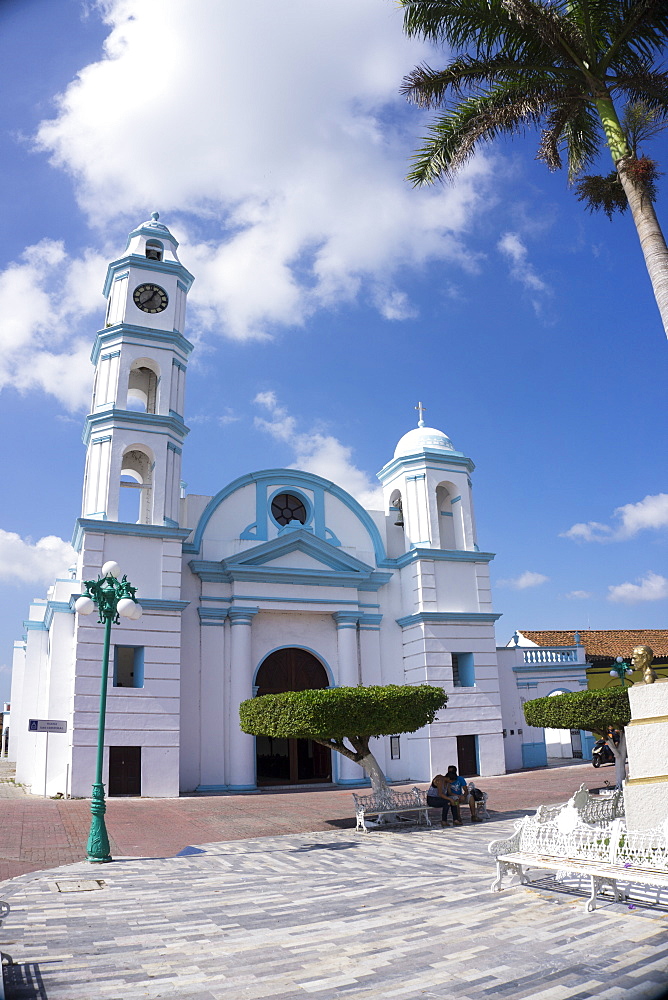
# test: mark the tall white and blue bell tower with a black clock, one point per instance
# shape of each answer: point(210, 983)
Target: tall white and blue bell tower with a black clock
point(135, 431)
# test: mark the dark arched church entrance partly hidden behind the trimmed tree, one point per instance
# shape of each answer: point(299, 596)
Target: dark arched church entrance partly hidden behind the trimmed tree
point(282, 761)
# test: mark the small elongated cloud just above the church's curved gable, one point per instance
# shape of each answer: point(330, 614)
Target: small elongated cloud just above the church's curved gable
point(319, 453)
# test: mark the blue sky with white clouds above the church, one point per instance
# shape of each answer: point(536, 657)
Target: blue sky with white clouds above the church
point(330, 295)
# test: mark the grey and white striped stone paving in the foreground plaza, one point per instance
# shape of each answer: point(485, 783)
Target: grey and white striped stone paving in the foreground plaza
point(402, 915)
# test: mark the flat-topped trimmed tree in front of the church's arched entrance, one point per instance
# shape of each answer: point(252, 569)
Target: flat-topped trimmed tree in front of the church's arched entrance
point(330, 716)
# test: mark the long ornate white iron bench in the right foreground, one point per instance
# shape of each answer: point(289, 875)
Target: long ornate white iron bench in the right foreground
point(605, 854)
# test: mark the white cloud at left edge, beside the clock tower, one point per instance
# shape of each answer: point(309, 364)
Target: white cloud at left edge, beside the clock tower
point(44, 298)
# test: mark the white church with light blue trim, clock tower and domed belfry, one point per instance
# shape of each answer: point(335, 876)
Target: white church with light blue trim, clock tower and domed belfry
point(280, 581)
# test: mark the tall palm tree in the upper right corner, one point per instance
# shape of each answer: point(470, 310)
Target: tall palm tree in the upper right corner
point(559, 65)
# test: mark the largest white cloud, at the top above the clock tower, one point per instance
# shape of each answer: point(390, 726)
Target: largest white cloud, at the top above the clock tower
point(272, 139)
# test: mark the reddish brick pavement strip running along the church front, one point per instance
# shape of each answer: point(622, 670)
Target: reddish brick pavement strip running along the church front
point(38, 833)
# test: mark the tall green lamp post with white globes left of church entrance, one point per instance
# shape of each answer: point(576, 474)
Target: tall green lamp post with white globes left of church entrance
point(113, 599)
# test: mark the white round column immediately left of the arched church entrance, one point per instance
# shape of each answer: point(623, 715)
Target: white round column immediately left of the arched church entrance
point(242, 746)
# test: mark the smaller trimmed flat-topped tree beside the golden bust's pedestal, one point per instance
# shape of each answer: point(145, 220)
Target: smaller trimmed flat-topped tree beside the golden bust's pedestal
point(595, 711)
